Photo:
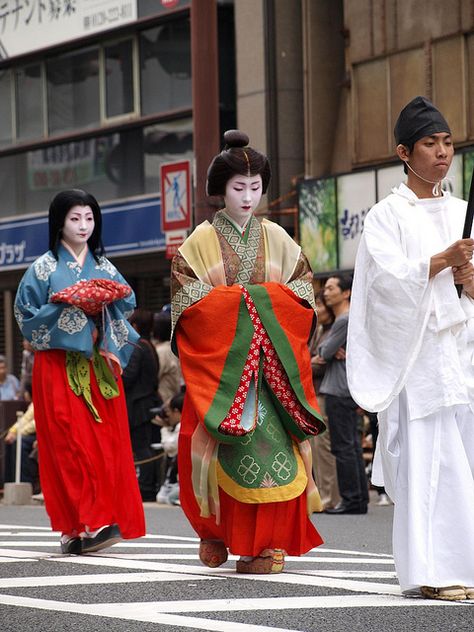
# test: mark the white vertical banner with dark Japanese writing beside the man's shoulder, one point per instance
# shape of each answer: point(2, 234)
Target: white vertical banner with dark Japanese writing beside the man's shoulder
point(355, 198)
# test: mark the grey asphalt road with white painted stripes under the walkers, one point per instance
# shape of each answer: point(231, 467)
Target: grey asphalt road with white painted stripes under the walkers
point(158, 583)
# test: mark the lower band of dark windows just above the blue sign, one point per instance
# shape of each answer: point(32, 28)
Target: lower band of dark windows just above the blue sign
point(111, 166)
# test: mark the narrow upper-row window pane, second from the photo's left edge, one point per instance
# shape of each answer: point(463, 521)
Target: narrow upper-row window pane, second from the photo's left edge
point(29, 102)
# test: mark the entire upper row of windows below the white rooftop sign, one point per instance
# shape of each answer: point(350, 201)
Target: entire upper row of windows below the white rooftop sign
point(145, 74)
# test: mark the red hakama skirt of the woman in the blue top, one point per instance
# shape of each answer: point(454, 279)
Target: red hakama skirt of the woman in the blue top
point(86, 468)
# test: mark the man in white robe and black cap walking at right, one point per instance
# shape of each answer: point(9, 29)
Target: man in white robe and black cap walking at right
point(410, 359)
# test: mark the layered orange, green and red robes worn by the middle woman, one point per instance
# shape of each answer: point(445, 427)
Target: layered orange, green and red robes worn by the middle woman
point(244, 459)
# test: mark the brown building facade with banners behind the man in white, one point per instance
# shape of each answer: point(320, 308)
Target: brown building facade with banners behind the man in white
point(320, 84)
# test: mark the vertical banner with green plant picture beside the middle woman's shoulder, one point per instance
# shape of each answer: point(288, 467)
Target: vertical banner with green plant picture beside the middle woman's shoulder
point(318, 230)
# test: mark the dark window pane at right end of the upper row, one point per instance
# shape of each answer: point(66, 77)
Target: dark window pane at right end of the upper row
point(165, 63)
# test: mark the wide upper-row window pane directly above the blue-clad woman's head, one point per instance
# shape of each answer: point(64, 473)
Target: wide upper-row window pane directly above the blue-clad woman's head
point(73, 91)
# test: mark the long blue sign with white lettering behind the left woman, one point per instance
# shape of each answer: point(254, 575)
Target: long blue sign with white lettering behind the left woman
point(127, 228)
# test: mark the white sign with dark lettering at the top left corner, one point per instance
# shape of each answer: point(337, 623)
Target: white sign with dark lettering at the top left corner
point(29, 25)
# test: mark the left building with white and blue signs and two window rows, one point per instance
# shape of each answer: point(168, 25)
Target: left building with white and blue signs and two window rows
point(99, 95)
